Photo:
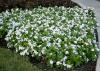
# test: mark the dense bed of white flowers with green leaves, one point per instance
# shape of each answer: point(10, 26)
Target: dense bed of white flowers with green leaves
point(62, 37)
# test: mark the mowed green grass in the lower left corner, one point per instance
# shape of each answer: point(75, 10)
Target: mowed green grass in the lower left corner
point(10, 61)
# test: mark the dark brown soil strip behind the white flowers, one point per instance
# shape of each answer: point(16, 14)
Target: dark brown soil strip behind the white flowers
point(29, 5)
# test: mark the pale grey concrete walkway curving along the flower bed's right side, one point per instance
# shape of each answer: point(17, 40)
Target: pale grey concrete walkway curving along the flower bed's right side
point(96, 5)
